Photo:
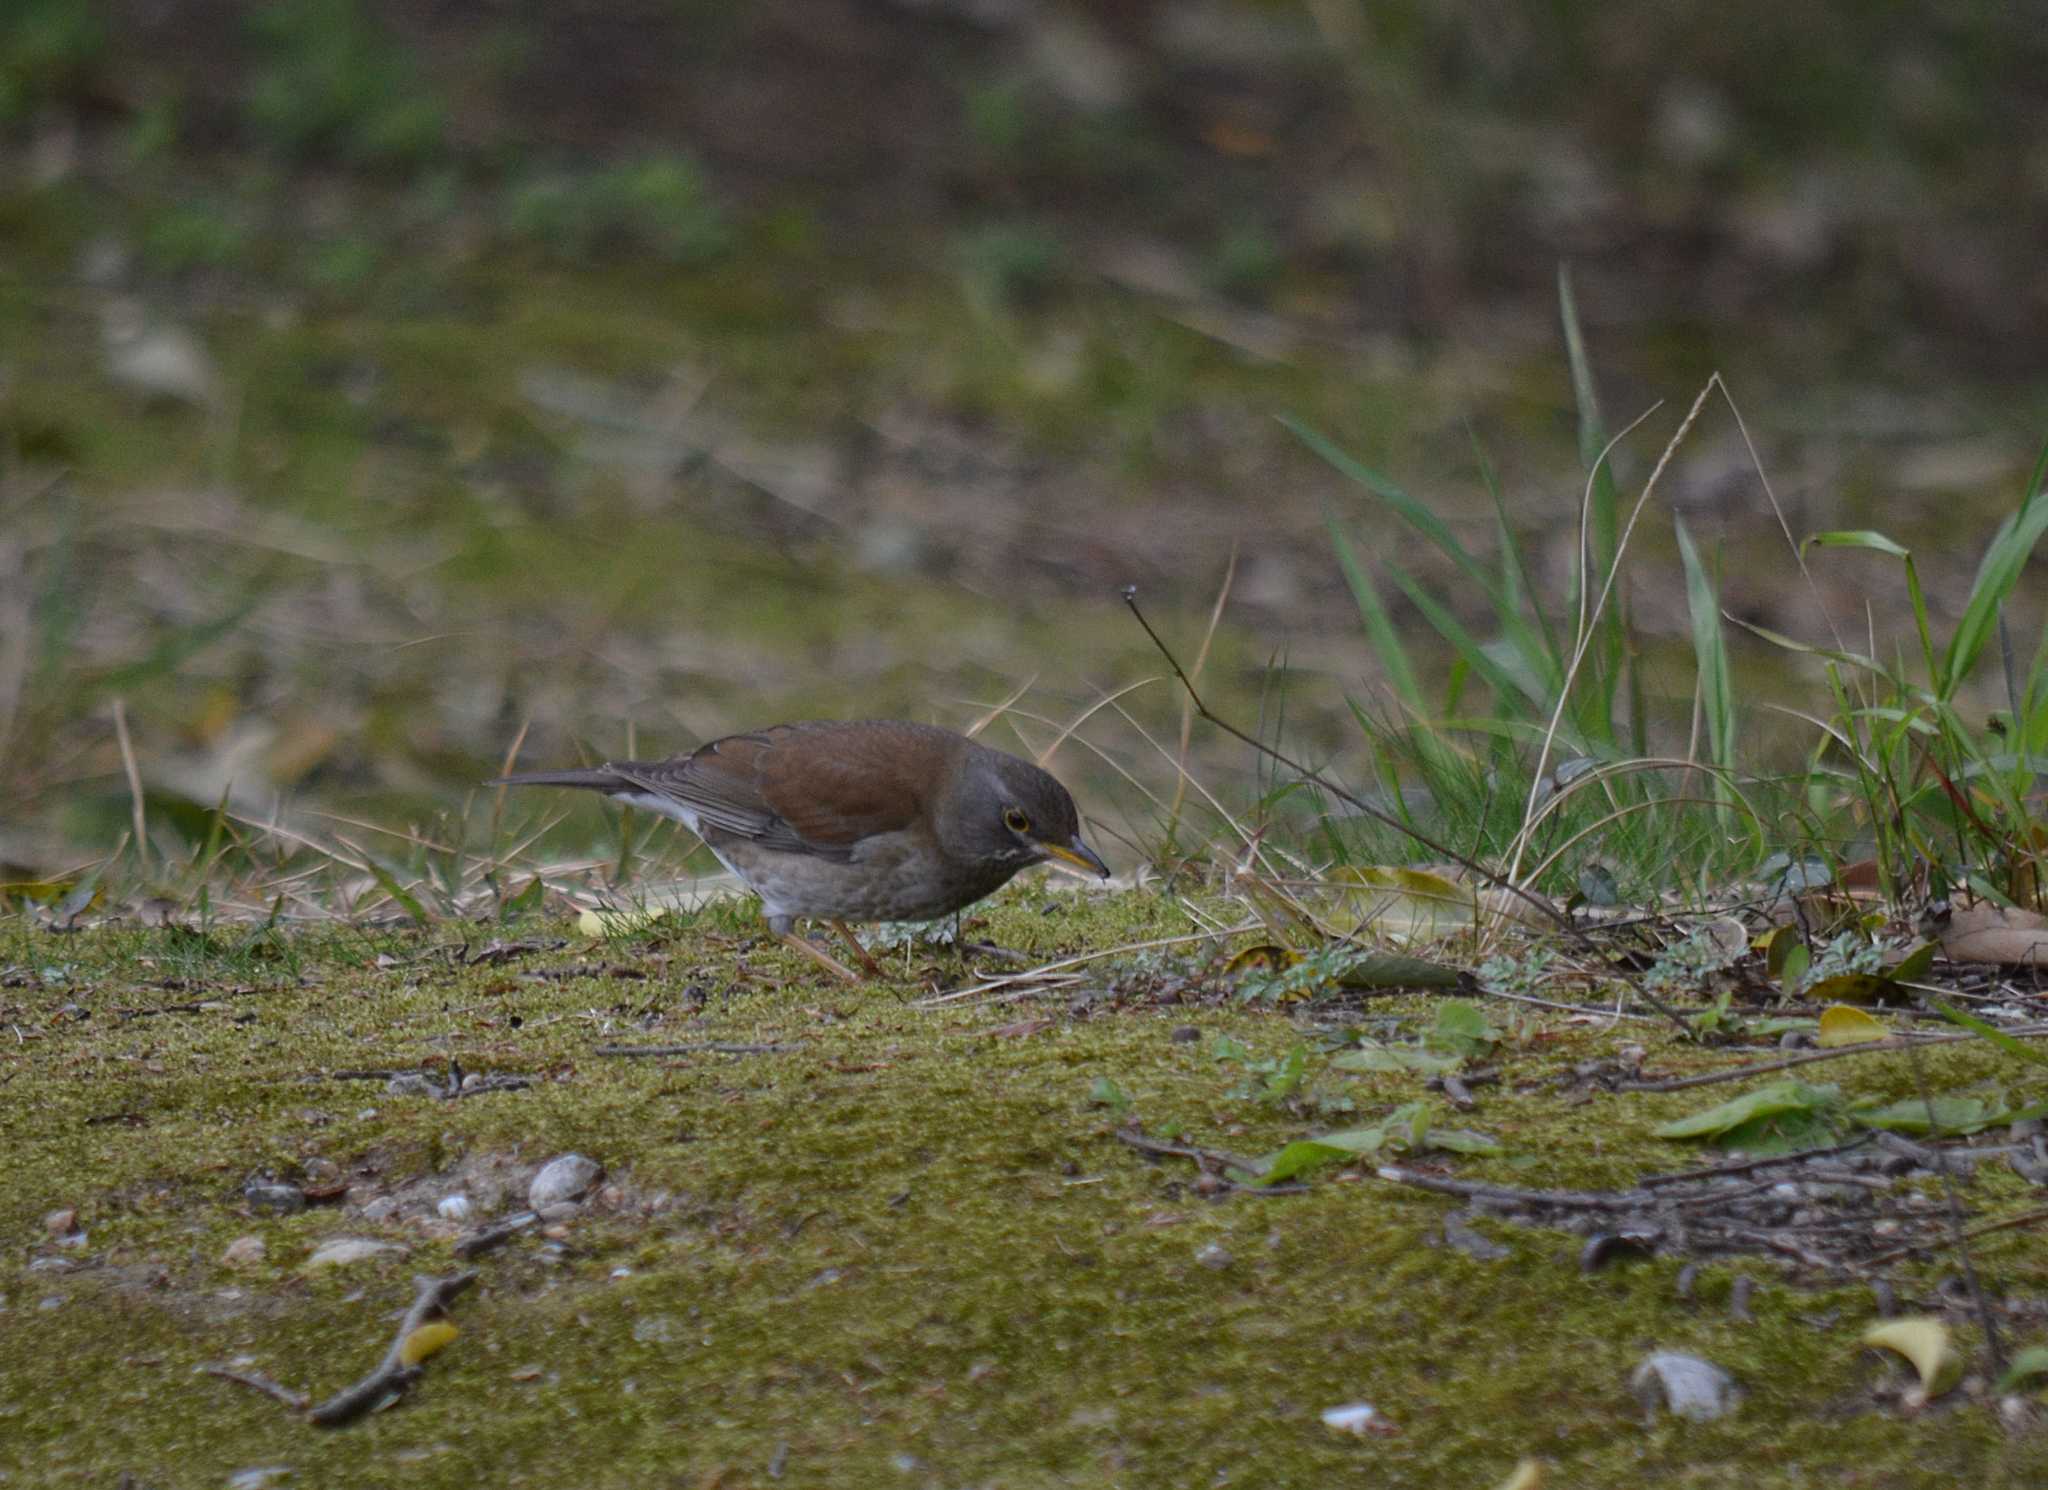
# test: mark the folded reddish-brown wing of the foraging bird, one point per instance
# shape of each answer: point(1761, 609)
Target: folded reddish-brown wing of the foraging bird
point(804, 789)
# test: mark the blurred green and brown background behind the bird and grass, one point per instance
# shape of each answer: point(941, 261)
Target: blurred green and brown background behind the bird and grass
point(382, 378)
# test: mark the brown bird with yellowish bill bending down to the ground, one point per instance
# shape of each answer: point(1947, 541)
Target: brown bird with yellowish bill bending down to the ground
point(869, 820)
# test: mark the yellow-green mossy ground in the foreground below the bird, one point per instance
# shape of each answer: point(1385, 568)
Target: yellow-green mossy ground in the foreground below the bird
point(908, 1252)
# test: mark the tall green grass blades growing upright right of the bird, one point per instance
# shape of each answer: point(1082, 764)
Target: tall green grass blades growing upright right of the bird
point(1537, 750)
